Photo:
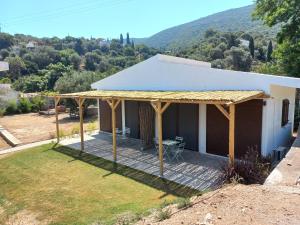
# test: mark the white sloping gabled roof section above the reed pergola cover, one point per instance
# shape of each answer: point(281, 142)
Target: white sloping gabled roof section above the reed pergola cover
point(168, 73)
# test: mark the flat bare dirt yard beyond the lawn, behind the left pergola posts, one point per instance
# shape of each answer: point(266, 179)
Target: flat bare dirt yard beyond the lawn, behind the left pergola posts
point(33, 127)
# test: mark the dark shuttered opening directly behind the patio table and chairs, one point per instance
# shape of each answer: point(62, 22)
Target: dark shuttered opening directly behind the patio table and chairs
point(182, 120)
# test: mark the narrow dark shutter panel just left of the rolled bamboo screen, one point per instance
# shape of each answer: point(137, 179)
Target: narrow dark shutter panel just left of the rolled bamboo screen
point(132, 118)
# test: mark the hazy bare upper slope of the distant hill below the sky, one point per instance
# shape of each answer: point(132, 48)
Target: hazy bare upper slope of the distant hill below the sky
point(238, 19)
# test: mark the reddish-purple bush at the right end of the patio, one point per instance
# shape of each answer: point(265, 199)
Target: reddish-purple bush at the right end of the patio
point(250, 169)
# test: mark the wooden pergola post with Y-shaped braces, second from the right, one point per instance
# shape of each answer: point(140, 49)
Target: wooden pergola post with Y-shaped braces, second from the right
point(159, 111)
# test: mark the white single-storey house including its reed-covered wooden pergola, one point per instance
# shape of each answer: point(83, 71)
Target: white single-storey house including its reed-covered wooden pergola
point(217, 112)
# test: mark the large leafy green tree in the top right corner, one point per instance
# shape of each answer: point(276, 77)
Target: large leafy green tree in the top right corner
point(287, 14)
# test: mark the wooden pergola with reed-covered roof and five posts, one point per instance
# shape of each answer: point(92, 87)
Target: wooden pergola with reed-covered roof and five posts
point(225, 101)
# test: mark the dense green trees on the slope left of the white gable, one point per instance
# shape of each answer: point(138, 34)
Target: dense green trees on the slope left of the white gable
point(41, 64)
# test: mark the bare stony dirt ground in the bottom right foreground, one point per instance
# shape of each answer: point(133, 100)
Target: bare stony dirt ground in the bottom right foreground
point(239, 205)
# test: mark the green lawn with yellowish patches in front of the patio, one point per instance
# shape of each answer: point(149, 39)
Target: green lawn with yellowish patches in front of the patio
point(53, 182)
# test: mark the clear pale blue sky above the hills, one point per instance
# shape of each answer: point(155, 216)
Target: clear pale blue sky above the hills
point(104, 18)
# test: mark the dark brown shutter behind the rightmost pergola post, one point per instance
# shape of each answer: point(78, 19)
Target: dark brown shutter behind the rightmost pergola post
point(248, 128)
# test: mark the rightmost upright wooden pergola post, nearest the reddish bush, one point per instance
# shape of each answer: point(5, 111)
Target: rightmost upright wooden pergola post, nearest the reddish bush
point(231, 133)
